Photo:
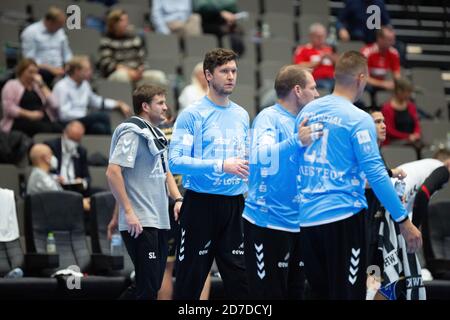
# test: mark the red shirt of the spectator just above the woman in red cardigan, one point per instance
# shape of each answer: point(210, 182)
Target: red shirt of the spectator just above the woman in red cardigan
point(380, 63)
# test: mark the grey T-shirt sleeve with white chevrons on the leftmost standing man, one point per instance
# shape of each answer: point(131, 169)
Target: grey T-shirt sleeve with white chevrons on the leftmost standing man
point(125, 150)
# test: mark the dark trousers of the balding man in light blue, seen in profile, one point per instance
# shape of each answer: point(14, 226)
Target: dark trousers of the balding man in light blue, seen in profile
point(273, 262)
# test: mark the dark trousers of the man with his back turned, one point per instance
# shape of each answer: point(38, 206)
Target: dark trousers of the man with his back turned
point(334, 256)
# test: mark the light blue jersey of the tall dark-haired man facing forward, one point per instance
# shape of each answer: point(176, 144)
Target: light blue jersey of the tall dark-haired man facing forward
point(205, 135)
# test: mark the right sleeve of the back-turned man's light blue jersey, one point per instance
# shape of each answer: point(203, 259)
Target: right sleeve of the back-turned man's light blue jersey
point(364, 141)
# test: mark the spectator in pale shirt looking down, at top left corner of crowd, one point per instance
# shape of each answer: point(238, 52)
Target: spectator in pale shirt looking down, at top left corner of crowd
point(46, 42)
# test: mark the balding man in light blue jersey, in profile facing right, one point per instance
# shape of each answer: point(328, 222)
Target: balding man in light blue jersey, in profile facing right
point(271, 219)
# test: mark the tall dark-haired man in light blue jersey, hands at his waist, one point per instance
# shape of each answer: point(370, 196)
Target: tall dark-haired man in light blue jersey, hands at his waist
point(208, 148)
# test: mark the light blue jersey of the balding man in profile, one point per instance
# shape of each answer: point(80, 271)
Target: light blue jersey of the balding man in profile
point(272, 200)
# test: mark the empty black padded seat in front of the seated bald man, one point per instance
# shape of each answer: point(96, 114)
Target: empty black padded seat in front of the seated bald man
point(61, 212)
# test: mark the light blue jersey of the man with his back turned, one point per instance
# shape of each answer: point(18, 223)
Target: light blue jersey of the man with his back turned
point(332, 169)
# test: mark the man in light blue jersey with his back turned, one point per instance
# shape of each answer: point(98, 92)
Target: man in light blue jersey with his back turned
point(332, 174)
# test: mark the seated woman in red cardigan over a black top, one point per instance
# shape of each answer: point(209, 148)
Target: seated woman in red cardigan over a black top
point(400, 113)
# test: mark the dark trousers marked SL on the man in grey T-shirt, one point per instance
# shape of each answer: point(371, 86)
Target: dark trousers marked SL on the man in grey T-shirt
point(149, 254)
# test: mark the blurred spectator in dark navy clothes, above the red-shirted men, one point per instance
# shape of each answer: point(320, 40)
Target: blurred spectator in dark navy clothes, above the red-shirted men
point(352, 20)
